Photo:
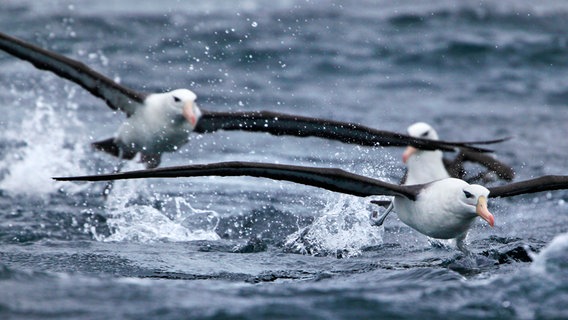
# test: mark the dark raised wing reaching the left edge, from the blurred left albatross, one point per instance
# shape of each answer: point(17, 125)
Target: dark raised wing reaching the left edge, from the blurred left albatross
point(116, 96)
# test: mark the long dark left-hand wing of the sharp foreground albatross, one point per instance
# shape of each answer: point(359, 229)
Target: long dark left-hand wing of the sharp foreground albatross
point(326, 178)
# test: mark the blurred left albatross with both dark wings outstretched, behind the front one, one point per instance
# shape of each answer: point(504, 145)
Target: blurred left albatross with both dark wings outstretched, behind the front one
point(161, 122)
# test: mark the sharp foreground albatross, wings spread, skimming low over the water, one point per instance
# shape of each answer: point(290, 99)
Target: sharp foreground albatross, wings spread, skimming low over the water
point(442, 209)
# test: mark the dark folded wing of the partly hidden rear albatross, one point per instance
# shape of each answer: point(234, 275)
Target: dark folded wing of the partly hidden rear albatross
point(456, 168)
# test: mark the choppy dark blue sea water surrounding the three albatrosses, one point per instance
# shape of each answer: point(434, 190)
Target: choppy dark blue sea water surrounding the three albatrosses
point(228, 247)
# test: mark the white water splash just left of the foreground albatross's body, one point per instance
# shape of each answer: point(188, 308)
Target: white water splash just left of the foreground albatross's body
point(344, 230)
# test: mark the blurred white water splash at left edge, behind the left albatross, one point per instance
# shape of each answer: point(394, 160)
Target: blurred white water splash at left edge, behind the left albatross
point(46, 150)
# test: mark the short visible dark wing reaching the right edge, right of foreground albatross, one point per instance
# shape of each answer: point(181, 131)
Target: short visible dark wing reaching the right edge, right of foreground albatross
point(544, 183)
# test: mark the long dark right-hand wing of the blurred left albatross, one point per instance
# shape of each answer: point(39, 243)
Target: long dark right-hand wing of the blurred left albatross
point(285, 124)
